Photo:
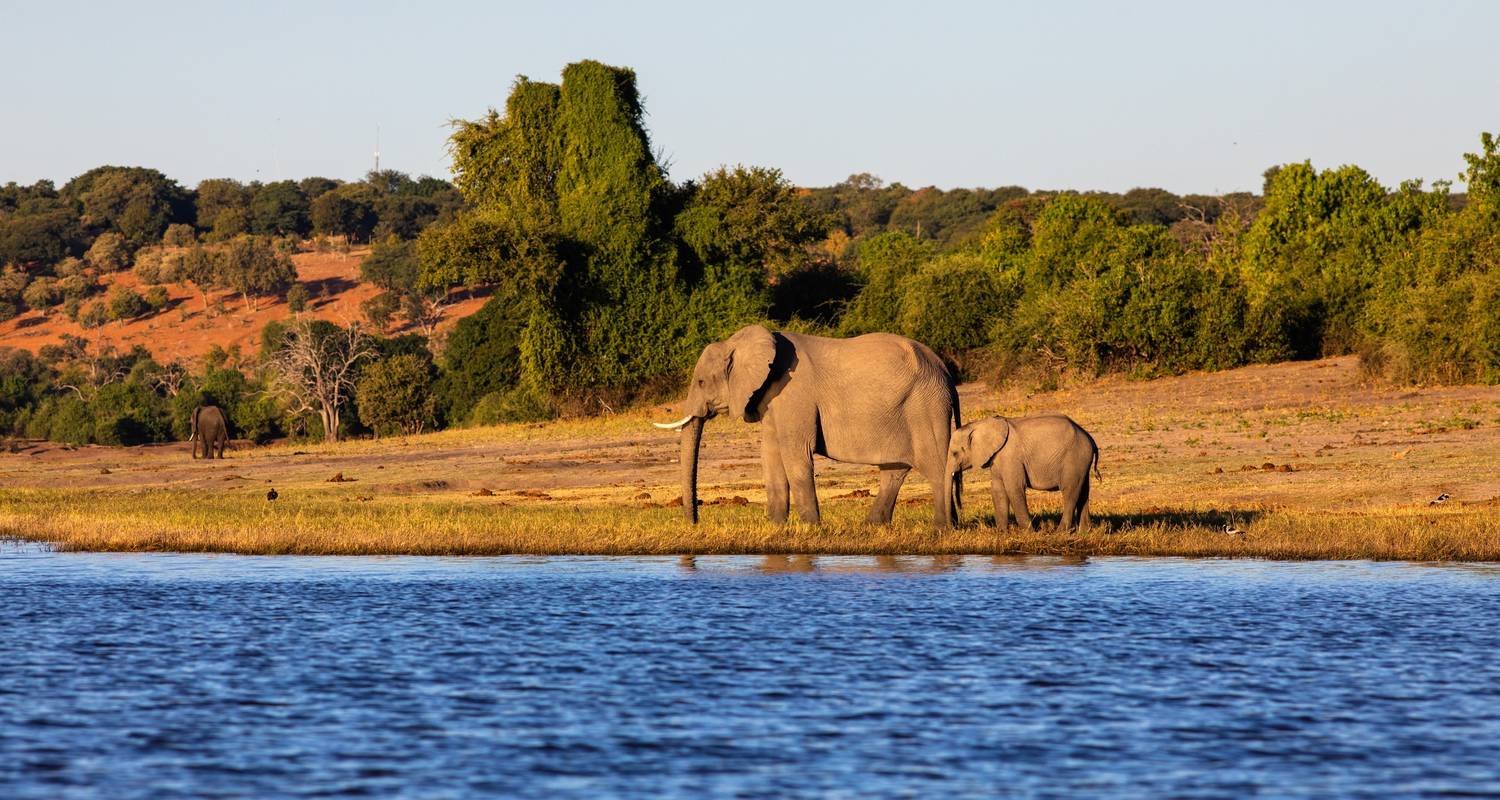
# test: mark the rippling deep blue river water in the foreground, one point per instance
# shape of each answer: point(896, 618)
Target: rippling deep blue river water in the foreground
point(166, 676)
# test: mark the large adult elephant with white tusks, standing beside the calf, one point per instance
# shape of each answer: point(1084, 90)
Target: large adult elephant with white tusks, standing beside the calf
point(878, 400)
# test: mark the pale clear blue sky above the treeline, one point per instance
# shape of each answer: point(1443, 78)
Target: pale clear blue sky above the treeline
point(1190, 97)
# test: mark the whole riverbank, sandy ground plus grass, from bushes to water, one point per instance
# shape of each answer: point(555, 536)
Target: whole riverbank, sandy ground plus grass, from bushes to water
point(1304, 459)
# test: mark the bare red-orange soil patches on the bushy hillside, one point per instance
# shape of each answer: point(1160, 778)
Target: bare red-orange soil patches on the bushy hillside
point(182, 331)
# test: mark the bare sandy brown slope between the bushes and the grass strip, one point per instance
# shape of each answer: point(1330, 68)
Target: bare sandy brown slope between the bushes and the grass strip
point(1301, 436)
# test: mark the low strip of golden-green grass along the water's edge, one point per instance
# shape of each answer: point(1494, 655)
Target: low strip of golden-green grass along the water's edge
point(175, 522)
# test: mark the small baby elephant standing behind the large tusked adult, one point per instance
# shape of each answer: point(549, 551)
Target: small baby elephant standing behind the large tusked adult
point(1048, 453)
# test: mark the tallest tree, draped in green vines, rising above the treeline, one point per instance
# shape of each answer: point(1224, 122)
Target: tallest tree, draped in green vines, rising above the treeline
point(578, 212)
